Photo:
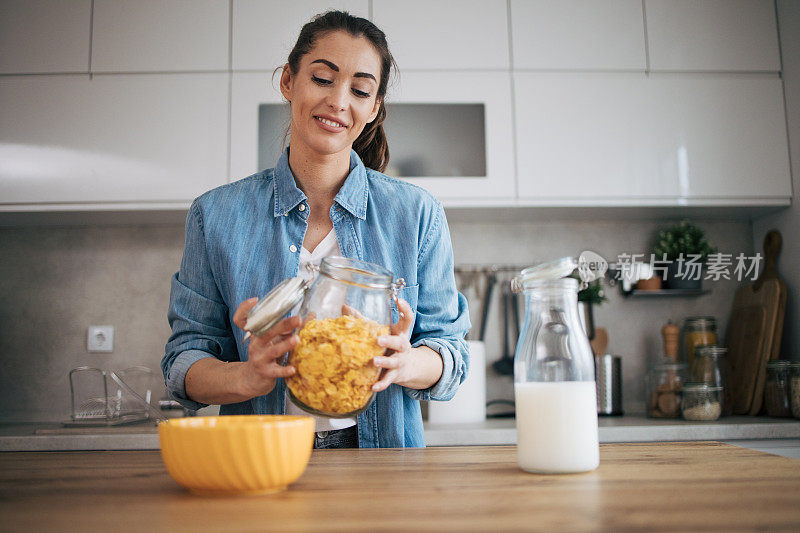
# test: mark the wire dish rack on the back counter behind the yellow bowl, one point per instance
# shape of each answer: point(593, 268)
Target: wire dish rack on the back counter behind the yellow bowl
point(92, 405)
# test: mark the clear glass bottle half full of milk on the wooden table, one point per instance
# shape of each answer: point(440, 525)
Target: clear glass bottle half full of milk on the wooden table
point(554, 384)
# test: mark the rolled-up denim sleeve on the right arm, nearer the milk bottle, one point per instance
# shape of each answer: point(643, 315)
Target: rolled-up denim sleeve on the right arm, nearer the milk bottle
point(442, 319)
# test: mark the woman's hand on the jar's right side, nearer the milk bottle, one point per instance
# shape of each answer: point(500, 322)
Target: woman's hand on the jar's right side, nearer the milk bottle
point(415, 368)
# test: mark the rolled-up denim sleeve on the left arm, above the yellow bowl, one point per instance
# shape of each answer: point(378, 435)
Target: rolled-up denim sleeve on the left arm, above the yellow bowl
point(197, 314)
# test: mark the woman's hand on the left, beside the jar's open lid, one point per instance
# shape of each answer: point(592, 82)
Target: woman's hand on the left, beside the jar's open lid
point(263, 365)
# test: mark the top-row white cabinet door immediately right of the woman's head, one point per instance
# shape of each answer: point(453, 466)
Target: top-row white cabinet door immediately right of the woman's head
point(441, 34)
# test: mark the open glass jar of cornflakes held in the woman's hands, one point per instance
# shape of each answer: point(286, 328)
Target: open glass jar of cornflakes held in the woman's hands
point(343, 311)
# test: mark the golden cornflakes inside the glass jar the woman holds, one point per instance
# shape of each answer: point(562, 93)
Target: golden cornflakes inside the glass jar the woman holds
point(333, 363)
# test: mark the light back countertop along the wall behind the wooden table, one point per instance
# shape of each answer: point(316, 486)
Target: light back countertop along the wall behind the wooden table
point(29, 437)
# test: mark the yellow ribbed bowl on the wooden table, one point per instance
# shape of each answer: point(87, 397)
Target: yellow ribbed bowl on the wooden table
point(247, 454)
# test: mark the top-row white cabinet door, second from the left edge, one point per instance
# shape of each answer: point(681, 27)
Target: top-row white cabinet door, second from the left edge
point(159, 35)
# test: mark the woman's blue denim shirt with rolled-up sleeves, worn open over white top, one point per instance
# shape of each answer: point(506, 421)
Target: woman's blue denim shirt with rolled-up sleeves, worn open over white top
point(244, 238)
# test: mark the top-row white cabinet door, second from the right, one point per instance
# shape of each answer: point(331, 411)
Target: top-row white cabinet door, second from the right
point(578, 34)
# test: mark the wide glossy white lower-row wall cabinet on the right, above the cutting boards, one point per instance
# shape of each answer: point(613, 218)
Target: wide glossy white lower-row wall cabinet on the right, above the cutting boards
point(629, 139)
